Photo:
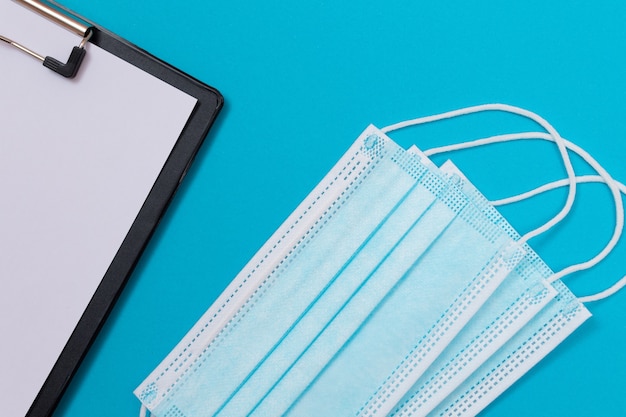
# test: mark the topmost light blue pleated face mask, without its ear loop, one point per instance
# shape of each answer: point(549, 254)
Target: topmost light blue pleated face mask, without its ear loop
point(369, 267)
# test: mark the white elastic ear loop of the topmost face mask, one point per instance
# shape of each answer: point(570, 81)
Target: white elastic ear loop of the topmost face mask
point(520, 112)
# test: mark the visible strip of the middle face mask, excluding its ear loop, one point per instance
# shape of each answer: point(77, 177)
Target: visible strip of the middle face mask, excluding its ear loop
point(521, 296)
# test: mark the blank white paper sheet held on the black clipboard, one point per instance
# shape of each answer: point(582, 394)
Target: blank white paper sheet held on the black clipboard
point(77, 160)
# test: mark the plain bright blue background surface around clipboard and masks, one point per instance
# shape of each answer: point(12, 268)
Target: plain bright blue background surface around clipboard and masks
point(301, 80)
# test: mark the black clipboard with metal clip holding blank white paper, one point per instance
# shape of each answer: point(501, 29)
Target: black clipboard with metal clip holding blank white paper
point(199, 106)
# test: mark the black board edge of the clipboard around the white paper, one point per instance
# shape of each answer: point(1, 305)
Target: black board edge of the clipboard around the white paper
point(209, 103)
